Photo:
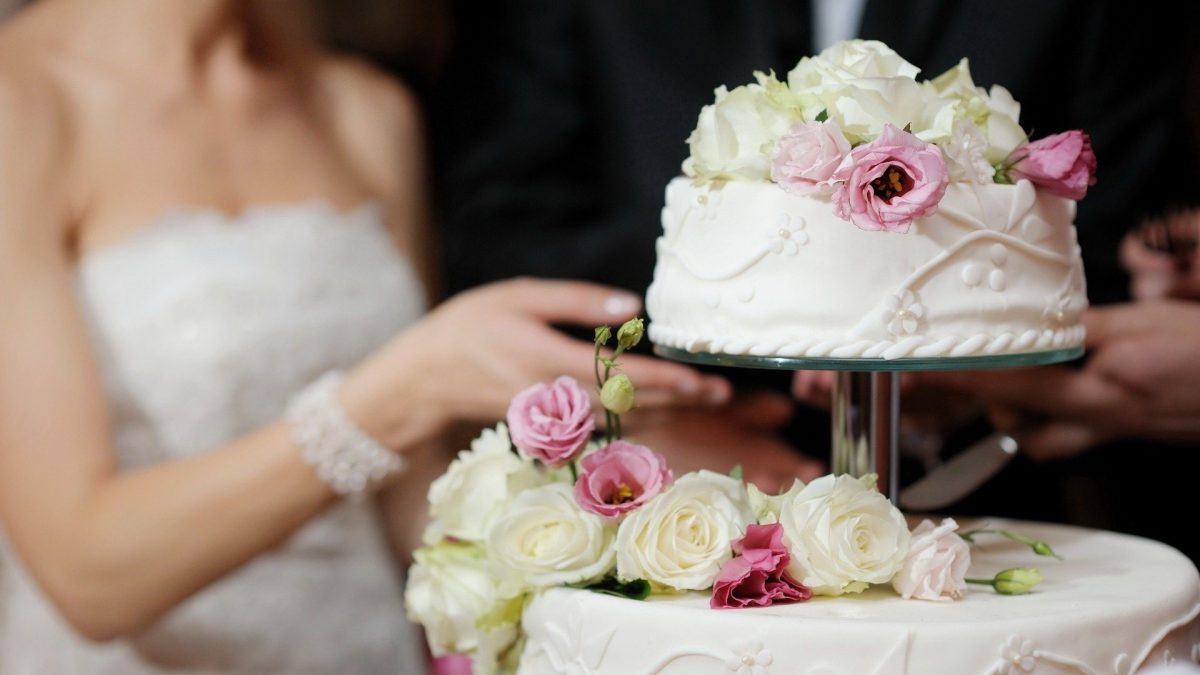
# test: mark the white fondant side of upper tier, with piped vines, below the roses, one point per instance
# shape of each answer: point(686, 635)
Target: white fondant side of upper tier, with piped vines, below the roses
point(747, 268)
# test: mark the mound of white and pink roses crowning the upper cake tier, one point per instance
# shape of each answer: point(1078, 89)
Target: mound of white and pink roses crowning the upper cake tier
point(855, 126)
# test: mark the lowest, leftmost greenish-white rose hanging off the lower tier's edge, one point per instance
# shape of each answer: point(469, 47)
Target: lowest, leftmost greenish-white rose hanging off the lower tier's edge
point(451, 592)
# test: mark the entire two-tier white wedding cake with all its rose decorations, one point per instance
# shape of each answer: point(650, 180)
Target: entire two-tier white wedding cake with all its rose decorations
point(851, 212)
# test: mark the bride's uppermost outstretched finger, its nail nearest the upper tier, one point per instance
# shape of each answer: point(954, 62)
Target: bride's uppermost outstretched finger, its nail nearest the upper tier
point(568, 302)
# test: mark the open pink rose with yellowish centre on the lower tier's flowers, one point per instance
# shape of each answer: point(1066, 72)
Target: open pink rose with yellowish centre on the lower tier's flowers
point(621, 479)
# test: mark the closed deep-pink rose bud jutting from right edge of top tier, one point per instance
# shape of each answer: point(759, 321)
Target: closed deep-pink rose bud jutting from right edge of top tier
point(1064, 164)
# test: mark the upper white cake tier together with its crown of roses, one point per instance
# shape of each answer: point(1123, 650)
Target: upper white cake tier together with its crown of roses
point(855, 212)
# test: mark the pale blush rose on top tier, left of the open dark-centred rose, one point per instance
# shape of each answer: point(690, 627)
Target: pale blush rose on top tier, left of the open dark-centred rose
point(808, 157)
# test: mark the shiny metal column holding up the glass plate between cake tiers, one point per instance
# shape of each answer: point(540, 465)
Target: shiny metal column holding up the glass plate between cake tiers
point(866, 426)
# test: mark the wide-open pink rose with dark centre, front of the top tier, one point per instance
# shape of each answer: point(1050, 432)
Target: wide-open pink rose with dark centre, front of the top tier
point(891, 182)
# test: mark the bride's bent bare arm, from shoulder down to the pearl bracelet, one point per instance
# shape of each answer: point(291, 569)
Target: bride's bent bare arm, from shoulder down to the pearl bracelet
point(115, 551)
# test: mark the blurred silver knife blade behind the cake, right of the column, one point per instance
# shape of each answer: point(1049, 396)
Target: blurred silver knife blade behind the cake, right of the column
point(962, 475)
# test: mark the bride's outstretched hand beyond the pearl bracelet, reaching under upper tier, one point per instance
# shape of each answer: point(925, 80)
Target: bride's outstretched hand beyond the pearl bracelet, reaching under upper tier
point(475, 353)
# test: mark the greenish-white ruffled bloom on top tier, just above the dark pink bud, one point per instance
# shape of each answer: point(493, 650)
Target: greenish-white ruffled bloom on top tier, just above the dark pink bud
point(994, 112)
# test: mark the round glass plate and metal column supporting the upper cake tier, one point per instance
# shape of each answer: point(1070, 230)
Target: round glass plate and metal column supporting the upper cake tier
point(867, 398)
